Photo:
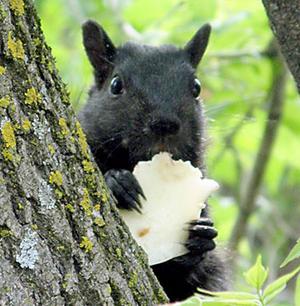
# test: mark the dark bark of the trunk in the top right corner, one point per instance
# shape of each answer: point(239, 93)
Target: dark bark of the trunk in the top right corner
point(284, 18)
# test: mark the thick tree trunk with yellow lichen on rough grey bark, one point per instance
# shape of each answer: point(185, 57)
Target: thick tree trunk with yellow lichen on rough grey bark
point(61, 239)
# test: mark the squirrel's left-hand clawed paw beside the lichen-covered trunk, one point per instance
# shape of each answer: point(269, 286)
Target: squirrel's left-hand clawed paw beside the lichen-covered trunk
point(125, 188)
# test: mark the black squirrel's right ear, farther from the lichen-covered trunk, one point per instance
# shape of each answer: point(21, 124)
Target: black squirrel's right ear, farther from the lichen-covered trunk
point(196, 47)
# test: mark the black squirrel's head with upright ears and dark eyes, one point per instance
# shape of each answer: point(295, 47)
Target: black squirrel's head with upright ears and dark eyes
point(145, 99)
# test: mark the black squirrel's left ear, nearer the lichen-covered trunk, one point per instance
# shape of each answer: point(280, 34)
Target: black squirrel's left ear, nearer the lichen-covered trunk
point(99, 48)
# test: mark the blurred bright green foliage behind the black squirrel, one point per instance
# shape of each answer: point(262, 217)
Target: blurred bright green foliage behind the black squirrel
point(237, 79)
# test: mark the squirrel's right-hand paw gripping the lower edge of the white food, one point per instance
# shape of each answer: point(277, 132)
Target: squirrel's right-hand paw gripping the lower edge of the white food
point(201, 235)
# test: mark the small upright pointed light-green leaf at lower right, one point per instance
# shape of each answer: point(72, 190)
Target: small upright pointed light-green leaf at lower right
point(257, 274)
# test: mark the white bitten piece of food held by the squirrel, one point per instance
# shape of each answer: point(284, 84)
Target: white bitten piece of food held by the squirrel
point(175, 193)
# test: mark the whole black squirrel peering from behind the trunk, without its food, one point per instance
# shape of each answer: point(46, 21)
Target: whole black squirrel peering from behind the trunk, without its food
point(146, 100)
